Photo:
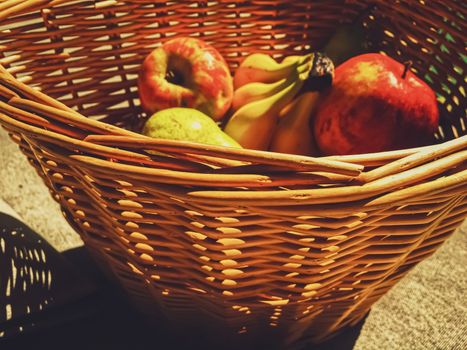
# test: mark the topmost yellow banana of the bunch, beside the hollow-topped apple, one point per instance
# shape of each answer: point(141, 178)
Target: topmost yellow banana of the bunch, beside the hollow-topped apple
point(262, 68)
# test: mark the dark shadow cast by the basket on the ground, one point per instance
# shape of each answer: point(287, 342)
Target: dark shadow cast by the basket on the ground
point(61, 301)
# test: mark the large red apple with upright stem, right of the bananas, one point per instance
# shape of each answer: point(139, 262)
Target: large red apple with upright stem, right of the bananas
point(375, 104)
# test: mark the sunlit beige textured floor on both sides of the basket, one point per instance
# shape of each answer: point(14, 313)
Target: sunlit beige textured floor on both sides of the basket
point(426, 310)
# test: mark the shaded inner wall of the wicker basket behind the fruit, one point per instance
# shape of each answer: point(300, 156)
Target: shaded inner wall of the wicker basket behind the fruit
point(87, 54)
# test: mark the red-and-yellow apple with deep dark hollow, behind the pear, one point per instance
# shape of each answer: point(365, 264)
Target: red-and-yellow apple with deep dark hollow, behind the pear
point(186, 72)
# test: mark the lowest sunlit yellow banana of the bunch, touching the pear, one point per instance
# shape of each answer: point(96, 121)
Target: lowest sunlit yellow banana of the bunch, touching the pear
point(252, 126)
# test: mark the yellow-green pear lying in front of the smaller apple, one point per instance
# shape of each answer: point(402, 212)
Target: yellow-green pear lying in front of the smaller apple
point(187, 124)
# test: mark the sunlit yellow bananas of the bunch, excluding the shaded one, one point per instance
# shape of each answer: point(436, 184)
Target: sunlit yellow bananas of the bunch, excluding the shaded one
point(263, 87)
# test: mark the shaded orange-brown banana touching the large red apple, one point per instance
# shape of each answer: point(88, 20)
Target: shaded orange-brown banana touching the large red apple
point(294, 134)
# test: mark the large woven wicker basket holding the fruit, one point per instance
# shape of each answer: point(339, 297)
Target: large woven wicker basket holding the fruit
point(248, 240)
